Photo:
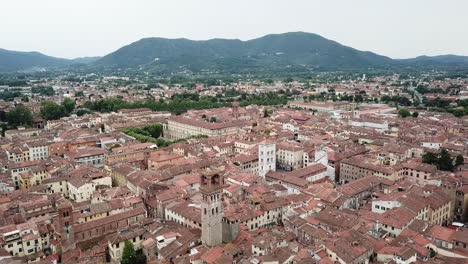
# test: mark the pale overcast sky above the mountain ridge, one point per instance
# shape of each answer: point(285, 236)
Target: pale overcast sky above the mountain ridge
point(75, 28)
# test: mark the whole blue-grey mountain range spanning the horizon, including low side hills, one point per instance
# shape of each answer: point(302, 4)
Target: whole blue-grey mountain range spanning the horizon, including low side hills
point(288, 51)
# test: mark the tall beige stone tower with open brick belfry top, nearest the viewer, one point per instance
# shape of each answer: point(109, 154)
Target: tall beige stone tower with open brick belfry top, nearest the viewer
point(211, 188)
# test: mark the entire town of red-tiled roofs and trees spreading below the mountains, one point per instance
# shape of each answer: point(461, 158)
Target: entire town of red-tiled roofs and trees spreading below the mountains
point(334, 168)
